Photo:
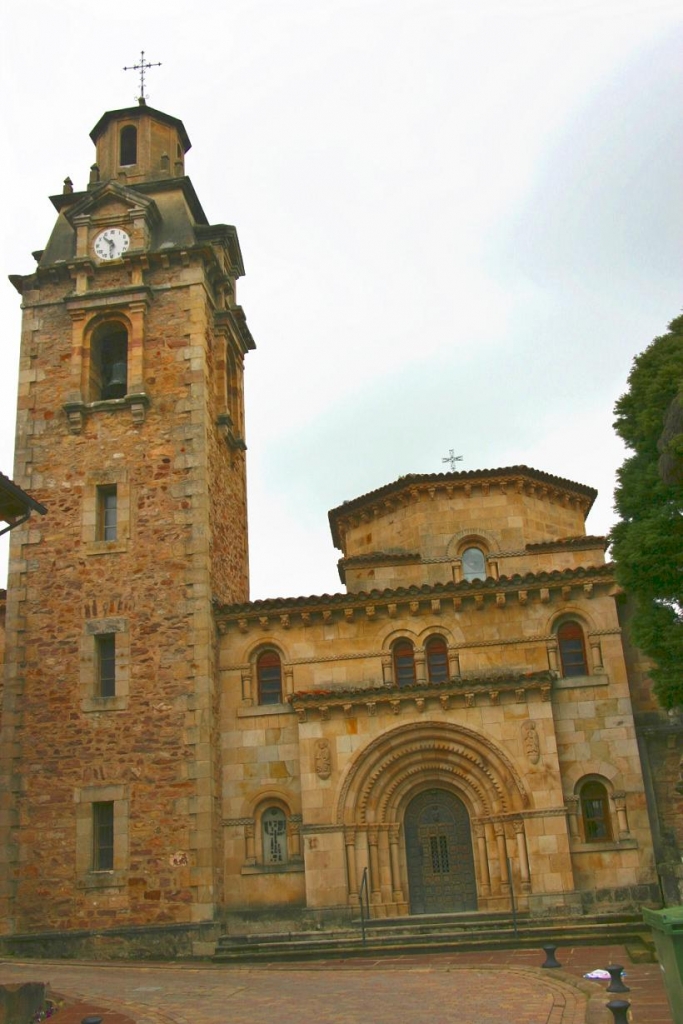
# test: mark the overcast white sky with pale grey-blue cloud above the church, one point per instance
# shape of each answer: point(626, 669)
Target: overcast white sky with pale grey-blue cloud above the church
point(461, 220)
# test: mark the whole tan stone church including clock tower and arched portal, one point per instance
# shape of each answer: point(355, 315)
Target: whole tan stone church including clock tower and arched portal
point(462, 727)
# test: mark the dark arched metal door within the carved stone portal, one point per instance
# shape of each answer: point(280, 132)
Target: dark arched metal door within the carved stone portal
point(439, 852)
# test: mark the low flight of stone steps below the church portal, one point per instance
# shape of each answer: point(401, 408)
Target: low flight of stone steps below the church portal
point(391, 942)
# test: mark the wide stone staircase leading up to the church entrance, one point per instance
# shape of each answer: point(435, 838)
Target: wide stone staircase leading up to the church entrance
point(436, 933)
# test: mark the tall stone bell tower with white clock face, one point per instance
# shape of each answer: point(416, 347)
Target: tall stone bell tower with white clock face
point(131, 431)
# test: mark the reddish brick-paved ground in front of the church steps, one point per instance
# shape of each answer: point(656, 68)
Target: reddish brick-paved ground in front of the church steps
point(502, 988)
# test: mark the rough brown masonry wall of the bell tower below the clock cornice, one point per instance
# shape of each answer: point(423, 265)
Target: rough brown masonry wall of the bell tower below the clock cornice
point(150, 749)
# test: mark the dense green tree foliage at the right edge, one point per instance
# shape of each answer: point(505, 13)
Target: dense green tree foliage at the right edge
point(649, 540)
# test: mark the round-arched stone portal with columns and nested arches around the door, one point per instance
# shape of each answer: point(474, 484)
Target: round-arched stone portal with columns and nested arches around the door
point(434, 815)
